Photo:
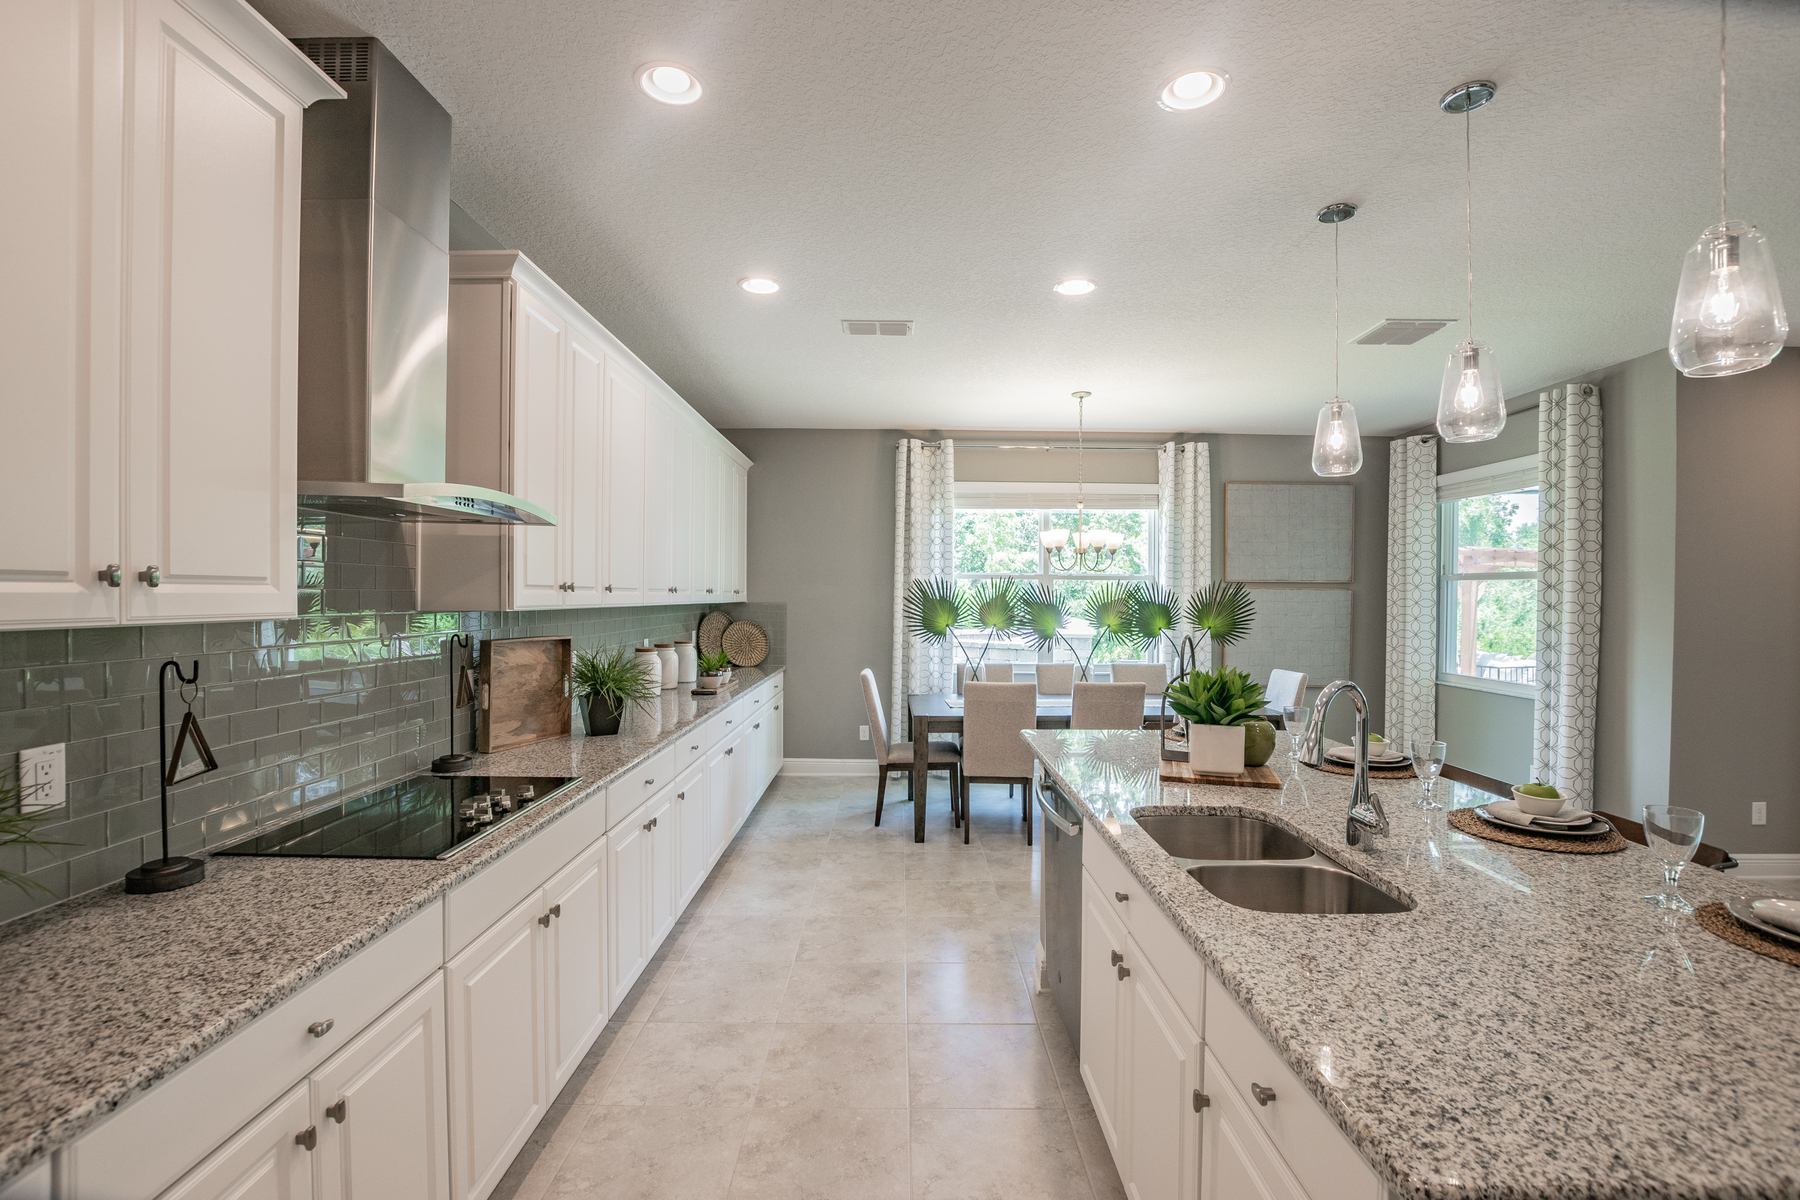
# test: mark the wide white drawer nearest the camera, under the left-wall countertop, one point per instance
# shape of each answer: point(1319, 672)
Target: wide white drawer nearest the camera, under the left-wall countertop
point(150, 1142)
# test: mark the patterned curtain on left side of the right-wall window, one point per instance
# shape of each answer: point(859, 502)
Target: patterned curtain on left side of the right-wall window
point(1412, 589)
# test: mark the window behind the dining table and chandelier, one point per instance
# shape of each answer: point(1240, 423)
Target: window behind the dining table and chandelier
point(1005, 544)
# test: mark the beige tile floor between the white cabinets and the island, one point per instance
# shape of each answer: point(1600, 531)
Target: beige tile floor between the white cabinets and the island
point(841, 1012)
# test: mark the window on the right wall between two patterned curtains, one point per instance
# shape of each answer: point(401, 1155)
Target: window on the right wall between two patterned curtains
point(1488, 578)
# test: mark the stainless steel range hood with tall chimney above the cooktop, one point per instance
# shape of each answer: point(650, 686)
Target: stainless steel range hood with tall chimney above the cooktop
point(375, 300)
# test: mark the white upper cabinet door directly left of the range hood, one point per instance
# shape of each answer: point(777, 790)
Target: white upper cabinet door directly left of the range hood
point(211, 368)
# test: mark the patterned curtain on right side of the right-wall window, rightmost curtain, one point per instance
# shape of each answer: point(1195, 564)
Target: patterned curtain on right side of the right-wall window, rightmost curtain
point(1569, 589)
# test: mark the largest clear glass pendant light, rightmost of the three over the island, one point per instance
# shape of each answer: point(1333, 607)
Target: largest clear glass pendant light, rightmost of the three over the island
point(1729, 310)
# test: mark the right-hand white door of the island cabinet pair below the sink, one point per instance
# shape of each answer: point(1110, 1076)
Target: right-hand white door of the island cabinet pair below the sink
point(1162, 1161)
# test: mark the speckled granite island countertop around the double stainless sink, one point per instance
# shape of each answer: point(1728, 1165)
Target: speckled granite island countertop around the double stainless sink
point(1531, 1030)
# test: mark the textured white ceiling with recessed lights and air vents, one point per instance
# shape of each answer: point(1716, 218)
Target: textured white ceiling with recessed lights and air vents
point(948, 161)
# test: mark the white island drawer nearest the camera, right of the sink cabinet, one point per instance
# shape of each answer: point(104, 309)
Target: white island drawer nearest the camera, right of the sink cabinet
point(1311, 1145)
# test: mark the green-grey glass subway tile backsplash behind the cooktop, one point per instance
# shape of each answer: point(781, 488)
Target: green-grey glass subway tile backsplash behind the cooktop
point(350, 694)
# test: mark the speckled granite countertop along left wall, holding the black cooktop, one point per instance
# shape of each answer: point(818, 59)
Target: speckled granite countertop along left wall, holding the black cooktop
point(107, 994)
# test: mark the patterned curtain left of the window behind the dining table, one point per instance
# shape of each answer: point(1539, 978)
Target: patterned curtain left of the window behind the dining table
point(924, 539)
